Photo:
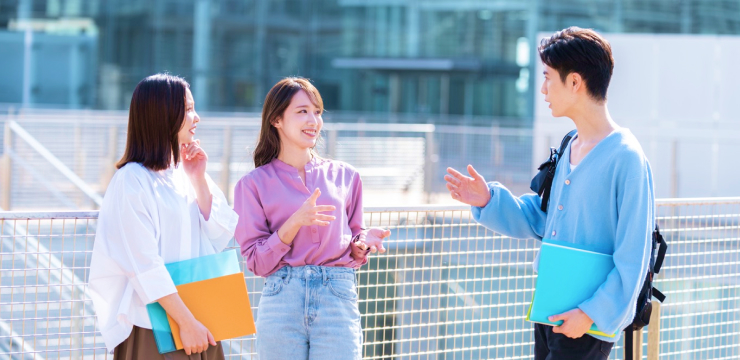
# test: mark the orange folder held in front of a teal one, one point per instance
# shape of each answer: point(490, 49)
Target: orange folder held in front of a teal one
point(221, 304)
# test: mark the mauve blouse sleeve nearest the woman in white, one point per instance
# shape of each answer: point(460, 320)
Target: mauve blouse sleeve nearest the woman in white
point(262, 249)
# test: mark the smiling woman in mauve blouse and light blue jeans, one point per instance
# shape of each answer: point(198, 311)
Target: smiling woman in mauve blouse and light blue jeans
point(301, 227)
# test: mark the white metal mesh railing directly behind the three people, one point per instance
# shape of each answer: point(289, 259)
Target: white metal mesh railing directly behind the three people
point(447, 289)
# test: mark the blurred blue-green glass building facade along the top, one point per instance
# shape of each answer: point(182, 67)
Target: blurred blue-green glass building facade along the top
point(462, 59)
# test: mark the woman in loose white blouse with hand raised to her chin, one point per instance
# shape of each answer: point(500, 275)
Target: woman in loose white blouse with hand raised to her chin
point(160, 207)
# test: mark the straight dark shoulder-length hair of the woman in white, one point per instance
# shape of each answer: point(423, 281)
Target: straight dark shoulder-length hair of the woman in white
point(154, 120)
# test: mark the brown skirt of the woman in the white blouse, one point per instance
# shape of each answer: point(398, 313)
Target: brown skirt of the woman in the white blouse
point(140, 345)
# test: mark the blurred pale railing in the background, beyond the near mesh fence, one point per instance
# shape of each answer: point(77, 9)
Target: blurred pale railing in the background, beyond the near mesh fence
point(396, 160)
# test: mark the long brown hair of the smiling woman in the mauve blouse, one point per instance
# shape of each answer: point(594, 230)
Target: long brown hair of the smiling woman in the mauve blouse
point(276, 101)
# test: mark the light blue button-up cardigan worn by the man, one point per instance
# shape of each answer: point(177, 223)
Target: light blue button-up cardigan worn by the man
point(608, 206)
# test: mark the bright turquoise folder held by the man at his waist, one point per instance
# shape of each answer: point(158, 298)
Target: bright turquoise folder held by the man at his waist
point(566, 277)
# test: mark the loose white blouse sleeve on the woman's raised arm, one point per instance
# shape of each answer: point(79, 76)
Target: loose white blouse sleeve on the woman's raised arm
point(221, 224)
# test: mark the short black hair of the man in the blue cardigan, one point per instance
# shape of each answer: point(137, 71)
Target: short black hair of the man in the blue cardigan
point(581, 51)
